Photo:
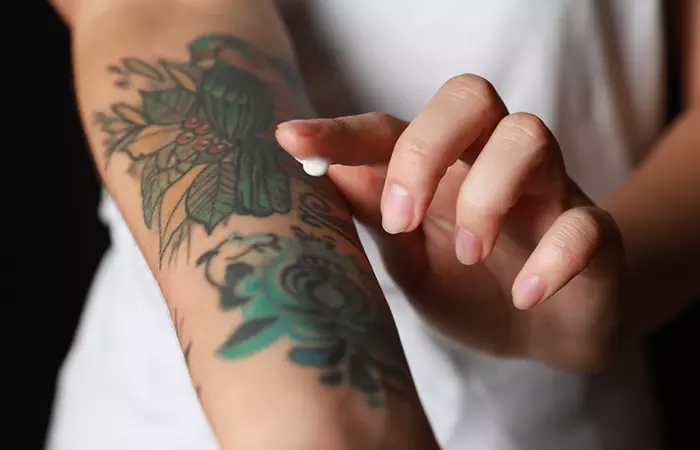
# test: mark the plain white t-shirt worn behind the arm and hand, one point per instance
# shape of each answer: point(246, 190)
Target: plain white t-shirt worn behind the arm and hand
point(592, 70)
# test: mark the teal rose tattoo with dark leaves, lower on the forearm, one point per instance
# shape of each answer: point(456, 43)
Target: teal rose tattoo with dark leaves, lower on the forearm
point(301, 287)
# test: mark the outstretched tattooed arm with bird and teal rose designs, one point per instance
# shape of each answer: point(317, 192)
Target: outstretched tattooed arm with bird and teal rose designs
point(285, 331)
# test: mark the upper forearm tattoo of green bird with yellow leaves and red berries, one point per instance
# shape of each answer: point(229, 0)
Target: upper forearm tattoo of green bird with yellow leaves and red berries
point(202, 135)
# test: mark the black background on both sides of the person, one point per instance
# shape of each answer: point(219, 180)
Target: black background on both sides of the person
point(70, 243)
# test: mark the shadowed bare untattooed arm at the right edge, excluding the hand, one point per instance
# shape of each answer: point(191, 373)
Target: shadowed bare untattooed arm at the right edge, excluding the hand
point(658, 209)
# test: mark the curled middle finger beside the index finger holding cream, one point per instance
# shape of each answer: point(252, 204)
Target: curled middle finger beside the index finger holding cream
point(461, 116)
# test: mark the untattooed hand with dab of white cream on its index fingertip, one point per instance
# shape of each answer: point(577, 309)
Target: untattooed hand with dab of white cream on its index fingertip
point(479, 223)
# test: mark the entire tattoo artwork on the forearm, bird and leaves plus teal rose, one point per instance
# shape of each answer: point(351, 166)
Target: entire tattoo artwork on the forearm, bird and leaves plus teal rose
point(201, 139)
